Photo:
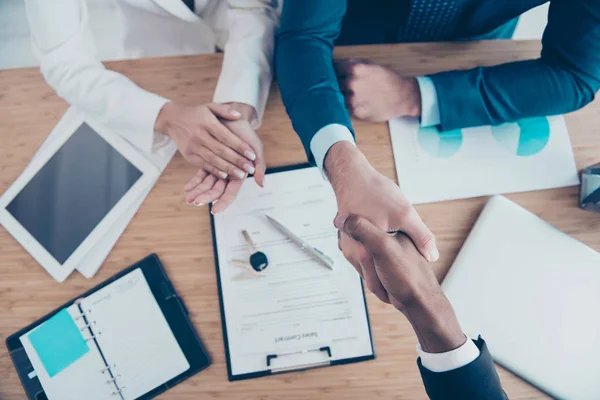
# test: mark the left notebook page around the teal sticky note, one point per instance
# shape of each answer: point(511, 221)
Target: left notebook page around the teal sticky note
point(82, 379)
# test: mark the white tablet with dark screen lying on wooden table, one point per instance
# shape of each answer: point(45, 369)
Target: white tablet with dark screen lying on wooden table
point(72, 192)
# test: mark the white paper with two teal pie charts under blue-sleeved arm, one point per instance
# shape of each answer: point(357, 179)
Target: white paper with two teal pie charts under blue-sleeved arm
point(530, 154)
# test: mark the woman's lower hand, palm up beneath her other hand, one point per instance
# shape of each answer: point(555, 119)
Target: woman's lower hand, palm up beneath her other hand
point(204, 188)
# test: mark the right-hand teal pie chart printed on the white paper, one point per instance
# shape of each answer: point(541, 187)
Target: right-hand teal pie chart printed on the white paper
point(524, 138)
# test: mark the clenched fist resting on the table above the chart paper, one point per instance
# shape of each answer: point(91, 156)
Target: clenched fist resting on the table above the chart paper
point(375, 93)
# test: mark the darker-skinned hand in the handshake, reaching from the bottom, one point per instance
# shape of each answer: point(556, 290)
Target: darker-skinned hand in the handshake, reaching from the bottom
point(411, 285)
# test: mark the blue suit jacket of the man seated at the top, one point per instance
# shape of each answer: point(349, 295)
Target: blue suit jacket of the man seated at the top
point(564, 78)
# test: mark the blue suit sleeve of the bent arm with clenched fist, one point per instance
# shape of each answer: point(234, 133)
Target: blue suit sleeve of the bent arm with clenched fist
point(565, 77)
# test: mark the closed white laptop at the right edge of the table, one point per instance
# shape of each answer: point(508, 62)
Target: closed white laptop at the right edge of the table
point(533, 293)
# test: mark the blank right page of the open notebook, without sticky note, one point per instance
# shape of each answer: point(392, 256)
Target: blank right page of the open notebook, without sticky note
point(135, 336)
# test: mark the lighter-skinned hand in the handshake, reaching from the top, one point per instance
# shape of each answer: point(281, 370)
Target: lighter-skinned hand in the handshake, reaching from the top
point(361, 190)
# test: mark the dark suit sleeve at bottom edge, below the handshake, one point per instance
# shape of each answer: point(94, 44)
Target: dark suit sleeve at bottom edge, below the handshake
point(477, 380)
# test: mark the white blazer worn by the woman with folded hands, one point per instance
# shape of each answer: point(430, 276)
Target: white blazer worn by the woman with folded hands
point(62, 39)
